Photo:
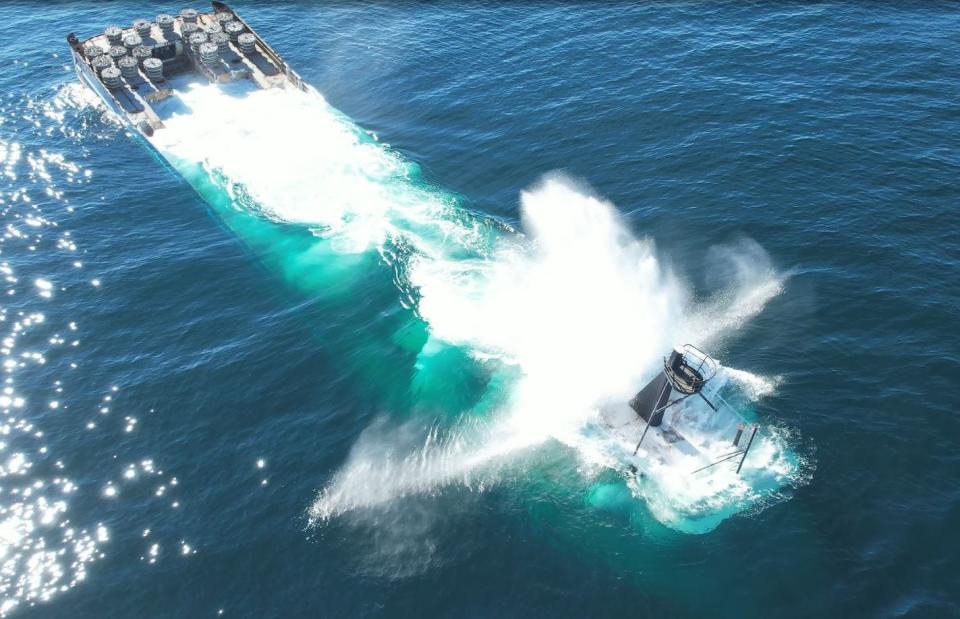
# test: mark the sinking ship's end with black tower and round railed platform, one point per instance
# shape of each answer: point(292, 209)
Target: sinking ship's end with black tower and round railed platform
point(680, 422)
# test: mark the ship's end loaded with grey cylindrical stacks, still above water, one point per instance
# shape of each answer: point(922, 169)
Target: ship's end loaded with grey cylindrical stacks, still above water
point(140, 71)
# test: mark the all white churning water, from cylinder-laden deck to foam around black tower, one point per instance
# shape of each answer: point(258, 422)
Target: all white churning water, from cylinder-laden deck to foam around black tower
point(572, 314)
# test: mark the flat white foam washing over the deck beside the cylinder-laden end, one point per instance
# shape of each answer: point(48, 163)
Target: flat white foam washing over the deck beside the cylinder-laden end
point(303, 162)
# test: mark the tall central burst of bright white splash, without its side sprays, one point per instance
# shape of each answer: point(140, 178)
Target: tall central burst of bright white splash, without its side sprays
point(577, 309)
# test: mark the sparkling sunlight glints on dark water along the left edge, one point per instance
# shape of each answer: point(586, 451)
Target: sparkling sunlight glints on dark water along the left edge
point(46, 549)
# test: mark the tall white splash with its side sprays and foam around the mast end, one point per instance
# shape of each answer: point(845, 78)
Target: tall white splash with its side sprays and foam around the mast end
point(585, 311)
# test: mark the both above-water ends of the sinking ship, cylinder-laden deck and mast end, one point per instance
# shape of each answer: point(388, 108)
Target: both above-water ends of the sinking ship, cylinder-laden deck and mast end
point(679, 423)
